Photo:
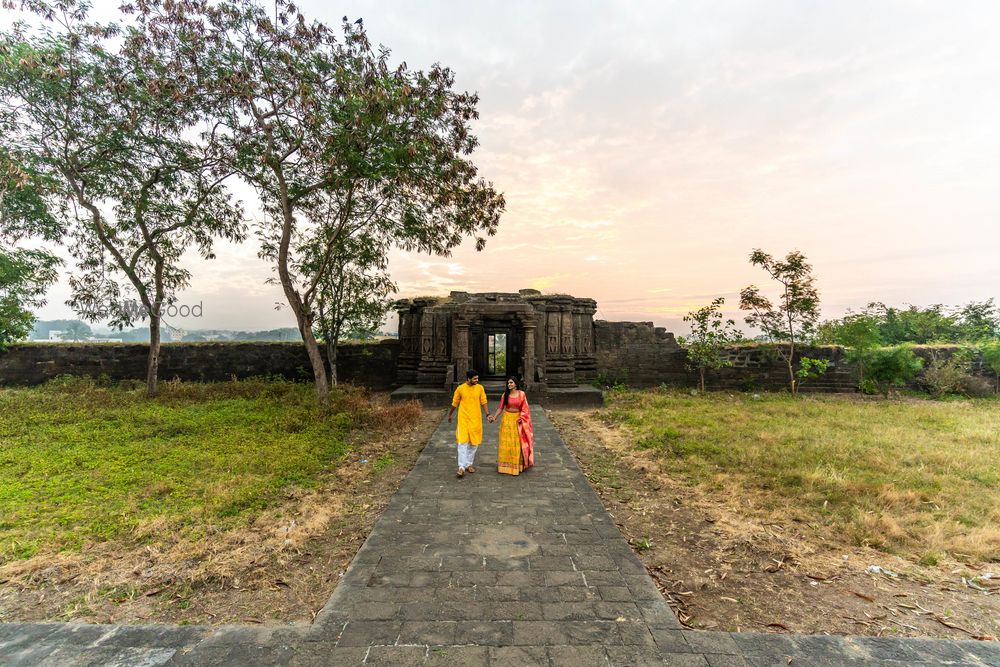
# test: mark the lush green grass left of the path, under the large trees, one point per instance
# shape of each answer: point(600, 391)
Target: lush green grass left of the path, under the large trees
point(82, 463)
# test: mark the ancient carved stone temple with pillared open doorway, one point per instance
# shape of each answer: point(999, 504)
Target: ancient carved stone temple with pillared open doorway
point(545, 340)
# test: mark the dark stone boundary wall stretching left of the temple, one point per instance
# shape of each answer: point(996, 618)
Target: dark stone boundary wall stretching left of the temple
point(372, 365)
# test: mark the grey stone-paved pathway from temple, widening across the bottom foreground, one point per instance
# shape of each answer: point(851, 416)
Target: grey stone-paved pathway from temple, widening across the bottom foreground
point(486, 570)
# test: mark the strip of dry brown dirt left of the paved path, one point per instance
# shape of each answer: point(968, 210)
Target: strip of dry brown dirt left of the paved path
point(280, 568)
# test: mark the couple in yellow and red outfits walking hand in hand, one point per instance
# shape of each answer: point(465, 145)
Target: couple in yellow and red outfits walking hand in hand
point(516, 452)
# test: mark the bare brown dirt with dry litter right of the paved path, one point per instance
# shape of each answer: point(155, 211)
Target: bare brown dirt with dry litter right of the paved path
point(721, 569)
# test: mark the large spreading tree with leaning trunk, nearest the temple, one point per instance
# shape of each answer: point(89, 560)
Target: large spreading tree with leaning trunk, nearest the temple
point(335, 140)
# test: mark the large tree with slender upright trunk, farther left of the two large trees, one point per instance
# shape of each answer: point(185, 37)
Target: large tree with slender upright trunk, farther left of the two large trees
point(113, 130)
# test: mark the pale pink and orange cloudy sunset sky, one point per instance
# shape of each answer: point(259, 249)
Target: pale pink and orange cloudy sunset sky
point(645, 149)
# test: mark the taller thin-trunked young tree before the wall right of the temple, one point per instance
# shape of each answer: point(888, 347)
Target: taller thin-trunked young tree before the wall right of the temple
point(797, 311)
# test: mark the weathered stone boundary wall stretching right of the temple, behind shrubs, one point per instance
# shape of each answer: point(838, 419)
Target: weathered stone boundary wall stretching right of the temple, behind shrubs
point(641, 355)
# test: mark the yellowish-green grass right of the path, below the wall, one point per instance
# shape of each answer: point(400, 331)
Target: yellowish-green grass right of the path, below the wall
point(919, 478)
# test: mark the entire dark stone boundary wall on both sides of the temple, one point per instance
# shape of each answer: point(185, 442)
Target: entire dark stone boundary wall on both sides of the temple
point(634, 353)
